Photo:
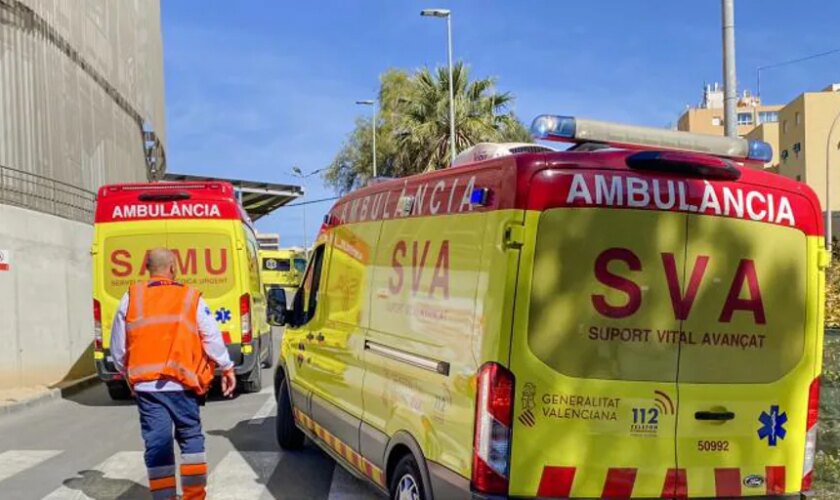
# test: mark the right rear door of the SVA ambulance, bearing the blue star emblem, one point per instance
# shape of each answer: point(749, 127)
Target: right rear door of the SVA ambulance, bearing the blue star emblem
point(748, 363)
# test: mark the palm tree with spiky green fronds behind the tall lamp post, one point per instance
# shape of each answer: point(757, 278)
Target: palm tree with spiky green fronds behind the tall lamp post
point(422, 117)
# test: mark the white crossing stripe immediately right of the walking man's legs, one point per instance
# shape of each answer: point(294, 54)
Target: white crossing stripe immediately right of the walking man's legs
point(242, 476)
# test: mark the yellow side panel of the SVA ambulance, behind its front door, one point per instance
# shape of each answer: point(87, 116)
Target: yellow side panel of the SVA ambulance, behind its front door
point(437, 308)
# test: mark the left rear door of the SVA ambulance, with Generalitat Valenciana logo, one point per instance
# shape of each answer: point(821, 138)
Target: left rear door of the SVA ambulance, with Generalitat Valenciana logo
point(596, 343)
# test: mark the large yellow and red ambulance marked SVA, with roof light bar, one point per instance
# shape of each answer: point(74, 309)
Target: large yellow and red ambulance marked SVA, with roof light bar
point(638, 316)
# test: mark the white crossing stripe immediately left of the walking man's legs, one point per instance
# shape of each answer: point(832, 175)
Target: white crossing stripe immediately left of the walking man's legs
point(112, 478)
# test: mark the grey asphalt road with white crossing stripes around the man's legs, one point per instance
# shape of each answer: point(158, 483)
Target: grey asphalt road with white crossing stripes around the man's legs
point(88, 447)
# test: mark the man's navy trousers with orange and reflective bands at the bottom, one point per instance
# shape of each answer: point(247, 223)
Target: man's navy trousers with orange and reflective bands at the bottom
point(161, 413)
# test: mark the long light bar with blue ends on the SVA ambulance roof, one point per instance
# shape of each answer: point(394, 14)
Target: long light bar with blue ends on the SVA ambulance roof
point(580, 130)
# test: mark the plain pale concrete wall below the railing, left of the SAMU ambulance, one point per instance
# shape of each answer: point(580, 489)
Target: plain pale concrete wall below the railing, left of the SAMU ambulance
point(46, 324)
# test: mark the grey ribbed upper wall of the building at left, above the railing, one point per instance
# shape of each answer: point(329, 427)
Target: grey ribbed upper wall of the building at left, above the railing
point(78, 80)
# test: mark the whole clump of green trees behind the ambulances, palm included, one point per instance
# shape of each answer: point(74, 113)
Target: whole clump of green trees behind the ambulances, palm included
point(413, 125)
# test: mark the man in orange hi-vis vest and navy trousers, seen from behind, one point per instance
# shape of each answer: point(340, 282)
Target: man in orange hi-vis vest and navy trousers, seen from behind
point(167, 345)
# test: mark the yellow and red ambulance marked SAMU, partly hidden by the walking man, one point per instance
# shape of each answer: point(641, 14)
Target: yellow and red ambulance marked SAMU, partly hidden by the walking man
point(216, 247)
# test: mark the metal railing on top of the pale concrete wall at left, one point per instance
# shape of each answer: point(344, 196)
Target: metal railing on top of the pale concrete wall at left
point(36, 192)
